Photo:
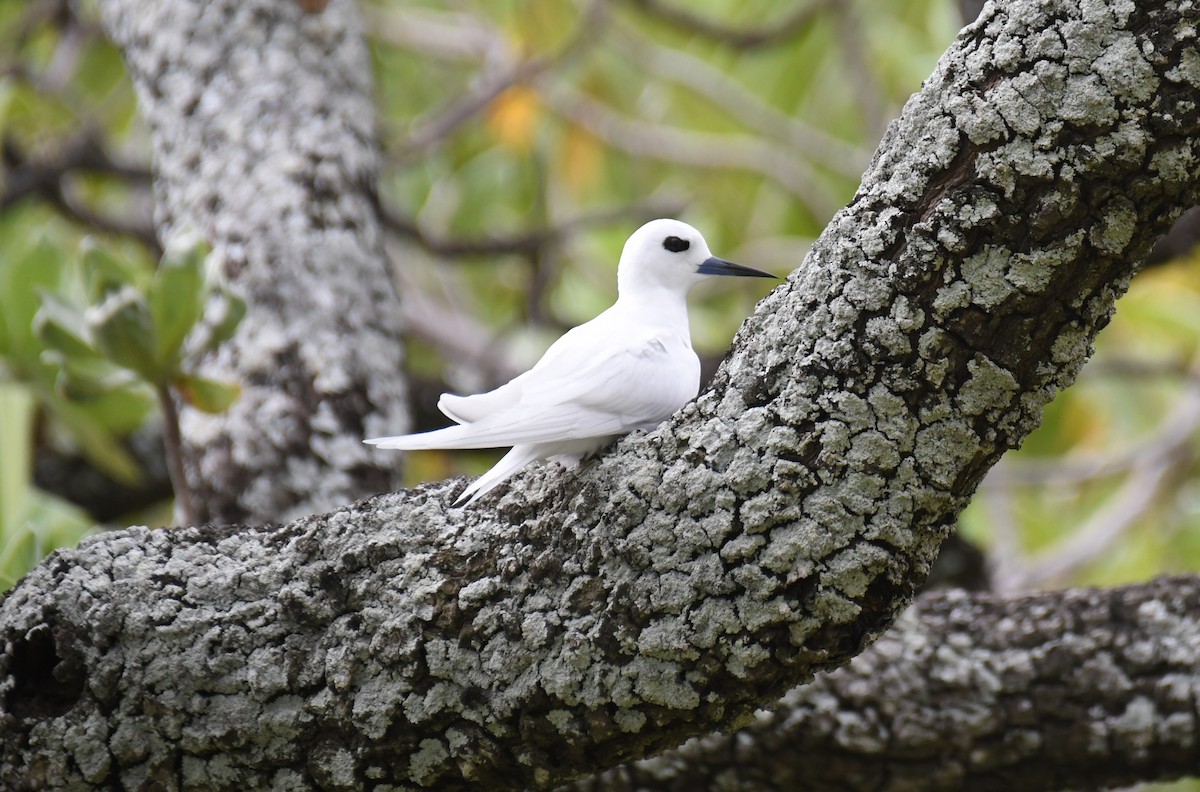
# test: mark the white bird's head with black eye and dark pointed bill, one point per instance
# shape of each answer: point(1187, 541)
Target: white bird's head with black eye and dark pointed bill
point(671, 255)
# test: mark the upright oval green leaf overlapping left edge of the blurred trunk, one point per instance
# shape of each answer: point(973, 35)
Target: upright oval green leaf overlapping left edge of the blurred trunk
point(177, 302)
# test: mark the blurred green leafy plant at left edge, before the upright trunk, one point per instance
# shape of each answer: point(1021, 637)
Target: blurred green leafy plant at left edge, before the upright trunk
point(87, 343)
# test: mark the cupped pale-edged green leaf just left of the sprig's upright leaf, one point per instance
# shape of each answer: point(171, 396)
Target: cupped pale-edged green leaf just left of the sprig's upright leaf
point(124, 333)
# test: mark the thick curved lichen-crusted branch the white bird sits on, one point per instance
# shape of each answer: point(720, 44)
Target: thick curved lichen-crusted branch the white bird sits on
point(767, 532)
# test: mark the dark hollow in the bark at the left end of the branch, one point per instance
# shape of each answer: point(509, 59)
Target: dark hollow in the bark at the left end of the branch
point(45, 683)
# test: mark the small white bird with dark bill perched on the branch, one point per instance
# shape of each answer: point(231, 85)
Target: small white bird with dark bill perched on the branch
point(628, 369)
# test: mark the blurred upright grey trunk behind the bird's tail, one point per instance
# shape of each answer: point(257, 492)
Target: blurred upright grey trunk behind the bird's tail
point(263, 133)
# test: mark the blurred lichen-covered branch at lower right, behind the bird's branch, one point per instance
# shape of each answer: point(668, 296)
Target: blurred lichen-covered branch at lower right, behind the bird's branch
point(1063, 691)
